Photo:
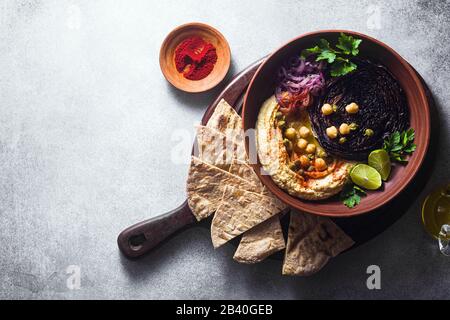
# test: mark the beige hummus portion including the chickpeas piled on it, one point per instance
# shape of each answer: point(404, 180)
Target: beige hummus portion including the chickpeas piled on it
point(317, 176)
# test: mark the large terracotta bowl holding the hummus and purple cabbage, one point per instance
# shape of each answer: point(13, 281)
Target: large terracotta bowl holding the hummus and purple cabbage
point(262, 87)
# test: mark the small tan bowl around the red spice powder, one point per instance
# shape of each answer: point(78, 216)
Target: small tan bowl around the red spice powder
point(209, 34)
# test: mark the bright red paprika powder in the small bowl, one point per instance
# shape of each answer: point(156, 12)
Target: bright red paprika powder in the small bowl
point(195, 58)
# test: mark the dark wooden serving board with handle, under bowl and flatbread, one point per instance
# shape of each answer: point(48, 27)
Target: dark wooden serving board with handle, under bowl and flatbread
point(138, 239)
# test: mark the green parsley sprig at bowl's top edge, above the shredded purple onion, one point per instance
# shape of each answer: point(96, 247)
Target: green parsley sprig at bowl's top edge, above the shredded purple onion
point(339, 57)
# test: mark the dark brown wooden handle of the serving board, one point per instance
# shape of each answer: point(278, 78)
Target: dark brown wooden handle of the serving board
point(140, 238)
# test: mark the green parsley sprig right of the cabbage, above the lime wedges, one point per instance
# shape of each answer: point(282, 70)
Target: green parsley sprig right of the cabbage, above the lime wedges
point(400, 145)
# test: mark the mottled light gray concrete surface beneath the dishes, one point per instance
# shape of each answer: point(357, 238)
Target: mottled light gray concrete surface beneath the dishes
point(87, 125)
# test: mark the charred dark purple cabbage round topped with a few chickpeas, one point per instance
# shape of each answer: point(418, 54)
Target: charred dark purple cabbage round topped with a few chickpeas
point(383, 109)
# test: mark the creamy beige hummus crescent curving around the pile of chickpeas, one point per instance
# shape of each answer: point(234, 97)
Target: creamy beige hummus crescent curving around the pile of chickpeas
point(275, 161)
